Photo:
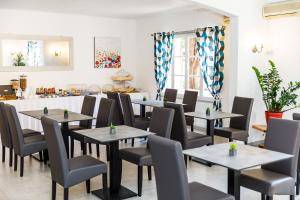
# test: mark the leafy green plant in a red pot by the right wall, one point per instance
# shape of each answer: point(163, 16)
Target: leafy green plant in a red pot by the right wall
point(277, 98)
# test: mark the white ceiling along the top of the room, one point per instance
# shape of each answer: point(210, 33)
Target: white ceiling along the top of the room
point(106, 8)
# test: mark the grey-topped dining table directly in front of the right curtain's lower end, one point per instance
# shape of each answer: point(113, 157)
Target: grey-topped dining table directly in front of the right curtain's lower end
point(211, 118)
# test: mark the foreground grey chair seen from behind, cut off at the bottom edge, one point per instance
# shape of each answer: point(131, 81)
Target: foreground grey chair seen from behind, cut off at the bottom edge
point(170, 174)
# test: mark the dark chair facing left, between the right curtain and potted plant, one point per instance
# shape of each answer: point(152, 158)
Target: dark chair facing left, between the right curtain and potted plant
point(239, 126)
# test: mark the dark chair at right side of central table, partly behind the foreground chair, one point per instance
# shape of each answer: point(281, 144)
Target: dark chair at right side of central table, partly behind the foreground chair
point(161, 124)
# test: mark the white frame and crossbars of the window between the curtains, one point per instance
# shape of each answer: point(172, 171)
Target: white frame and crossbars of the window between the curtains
point(186, 76)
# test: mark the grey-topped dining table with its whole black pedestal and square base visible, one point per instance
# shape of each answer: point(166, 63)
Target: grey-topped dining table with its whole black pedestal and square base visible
point(104, 136)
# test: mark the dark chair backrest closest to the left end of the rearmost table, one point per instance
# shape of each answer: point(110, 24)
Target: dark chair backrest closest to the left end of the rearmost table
point(128, 114)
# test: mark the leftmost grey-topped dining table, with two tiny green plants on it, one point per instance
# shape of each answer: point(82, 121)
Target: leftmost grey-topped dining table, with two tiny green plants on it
point(58, 115)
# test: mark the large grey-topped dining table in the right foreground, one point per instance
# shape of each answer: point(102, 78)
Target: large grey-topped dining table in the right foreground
point(247, 157)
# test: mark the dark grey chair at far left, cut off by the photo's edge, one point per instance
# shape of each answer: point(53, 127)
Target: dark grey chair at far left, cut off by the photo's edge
point(6, 138)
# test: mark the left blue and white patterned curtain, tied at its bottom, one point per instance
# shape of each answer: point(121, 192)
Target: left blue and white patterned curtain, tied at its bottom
point(163, 48)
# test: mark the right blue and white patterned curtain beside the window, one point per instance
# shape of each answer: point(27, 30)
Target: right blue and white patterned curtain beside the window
point(210, 46)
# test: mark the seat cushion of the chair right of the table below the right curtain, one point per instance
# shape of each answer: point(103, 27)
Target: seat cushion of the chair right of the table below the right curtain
point(233, 133)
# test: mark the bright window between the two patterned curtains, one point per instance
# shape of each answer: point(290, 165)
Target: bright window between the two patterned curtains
point(185, 72)
